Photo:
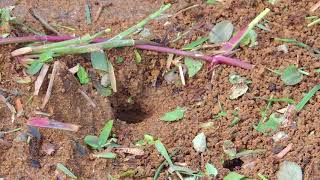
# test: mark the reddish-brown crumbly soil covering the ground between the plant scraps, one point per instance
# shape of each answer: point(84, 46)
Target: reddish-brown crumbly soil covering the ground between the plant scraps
point(199, 96)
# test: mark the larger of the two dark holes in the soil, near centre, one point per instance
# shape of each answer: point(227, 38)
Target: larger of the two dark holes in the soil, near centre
point(131, 115)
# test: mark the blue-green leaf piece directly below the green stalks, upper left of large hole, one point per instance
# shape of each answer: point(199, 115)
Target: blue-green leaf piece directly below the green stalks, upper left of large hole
point(99, 60)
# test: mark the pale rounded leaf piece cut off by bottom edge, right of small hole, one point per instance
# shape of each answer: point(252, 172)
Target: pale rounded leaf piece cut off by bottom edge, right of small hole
point(289, 170)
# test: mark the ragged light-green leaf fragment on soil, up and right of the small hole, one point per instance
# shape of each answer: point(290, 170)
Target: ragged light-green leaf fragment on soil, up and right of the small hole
point(272, 124)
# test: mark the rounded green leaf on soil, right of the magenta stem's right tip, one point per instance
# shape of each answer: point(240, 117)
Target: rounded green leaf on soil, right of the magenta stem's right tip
point(291, 76)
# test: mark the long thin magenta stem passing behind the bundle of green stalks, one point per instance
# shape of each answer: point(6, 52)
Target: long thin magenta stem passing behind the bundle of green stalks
point(215, 59)
